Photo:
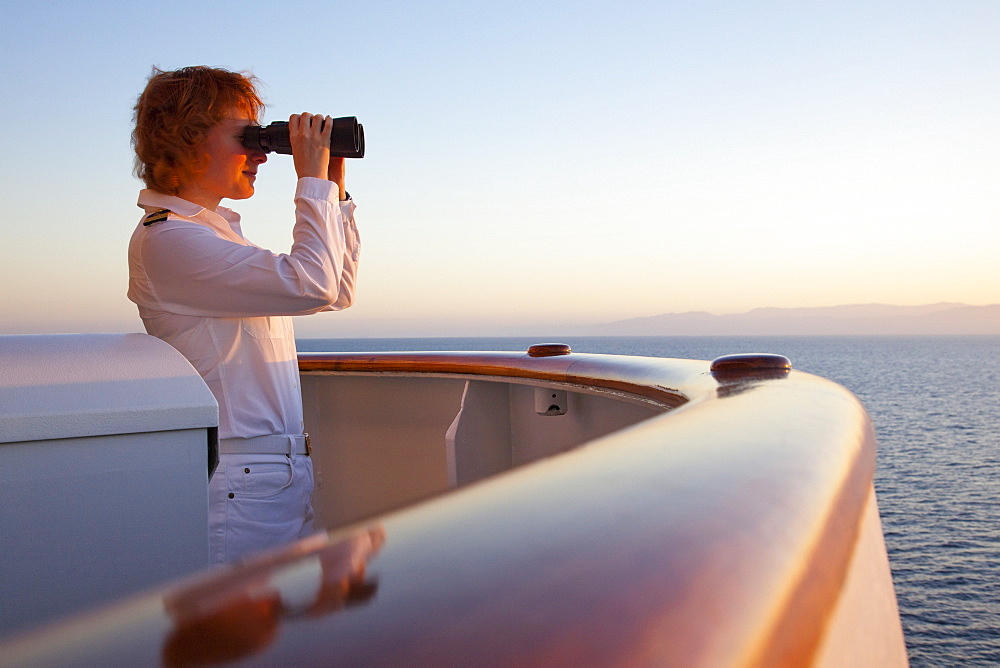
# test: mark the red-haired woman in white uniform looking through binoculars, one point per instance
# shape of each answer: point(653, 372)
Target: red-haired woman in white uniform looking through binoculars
point(225, 303)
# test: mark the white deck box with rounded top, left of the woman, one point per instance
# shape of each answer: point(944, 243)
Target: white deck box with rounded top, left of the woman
point(103, 453)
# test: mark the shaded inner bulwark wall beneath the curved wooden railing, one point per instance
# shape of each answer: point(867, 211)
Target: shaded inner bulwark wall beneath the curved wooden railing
point(381, 442)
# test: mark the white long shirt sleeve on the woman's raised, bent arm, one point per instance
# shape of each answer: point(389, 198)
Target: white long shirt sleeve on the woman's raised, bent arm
point(193, 271)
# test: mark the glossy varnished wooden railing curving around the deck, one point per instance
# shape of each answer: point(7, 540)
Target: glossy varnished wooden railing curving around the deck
point(738, 527)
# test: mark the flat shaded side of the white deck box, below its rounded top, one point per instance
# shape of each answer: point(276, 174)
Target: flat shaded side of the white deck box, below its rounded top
point(85, 521)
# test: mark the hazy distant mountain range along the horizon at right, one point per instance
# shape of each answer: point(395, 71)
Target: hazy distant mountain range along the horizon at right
point(880, 319)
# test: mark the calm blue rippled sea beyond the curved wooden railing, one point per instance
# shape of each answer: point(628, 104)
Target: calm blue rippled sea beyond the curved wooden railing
point(935, 402)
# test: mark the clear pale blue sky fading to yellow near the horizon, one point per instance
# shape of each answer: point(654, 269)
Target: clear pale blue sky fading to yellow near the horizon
point(534, 166)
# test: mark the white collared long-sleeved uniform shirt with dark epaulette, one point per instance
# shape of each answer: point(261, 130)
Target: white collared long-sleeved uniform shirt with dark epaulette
point(223, 302)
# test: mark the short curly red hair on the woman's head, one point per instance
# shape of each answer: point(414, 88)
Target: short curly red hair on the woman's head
point(174, 114)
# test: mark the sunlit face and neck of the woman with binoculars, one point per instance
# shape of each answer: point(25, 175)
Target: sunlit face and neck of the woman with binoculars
point(232, 168)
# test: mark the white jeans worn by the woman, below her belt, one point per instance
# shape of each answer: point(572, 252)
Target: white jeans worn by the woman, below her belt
point(256, 502)
